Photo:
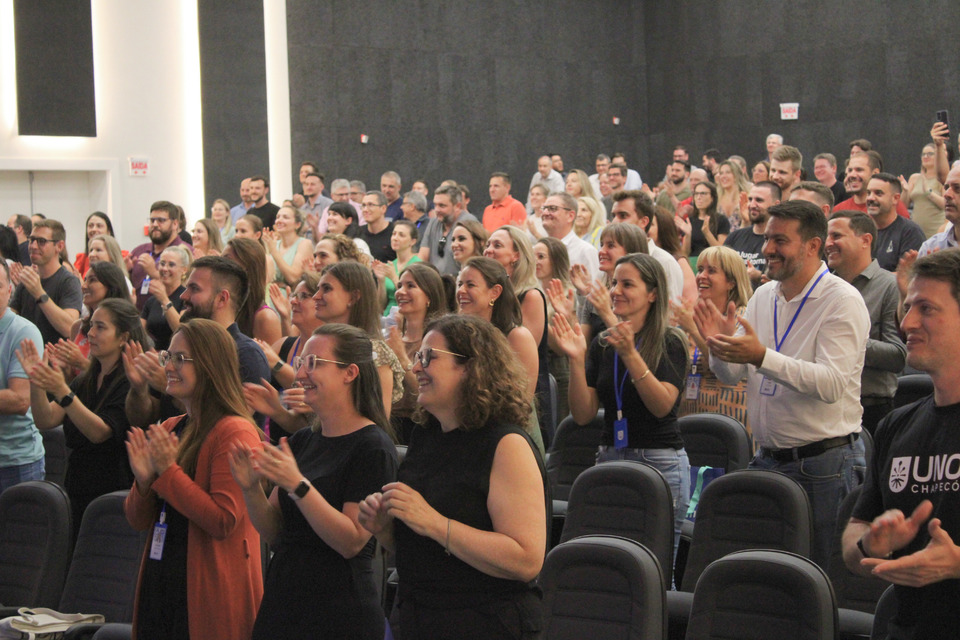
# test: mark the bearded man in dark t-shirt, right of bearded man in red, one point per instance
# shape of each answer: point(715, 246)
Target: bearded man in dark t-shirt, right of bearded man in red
point(895, 235)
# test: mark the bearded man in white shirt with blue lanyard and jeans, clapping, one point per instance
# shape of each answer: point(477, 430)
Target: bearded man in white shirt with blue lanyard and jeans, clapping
point(800, 344)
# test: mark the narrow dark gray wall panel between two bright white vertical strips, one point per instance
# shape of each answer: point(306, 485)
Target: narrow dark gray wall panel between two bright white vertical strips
point(233, 92)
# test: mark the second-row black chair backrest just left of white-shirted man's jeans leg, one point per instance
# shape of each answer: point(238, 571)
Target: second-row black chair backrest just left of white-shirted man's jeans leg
point(748, 509)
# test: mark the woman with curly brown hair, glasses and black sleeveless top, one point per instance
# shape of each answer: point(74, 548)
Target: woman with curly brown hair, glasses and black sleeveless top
point(466, 517)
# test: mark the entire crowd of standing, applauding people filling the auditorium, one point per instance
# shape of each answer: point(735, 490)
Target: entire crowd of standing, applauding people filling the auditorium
point(281, 352)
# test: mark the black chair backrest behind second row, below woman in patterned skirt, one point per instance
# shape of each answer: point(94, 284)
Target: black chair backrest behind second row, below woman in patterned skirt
point(715, 440)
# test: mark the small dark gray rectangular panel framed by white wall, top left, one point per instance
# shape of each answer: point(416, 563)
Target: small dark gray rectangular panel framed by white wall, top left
point(54, 66)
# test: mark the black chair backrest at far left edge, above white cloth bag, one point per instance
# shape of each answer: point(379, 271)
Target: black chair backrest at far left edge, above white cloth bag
point(35, 537)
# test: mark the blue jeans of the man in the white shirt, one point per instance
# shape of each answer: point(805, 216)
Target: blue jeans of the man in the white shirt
point(827, 479)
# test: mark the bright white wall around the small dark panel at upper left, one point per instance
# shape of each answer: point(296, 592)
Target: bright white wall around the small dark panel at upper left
point(147, 77)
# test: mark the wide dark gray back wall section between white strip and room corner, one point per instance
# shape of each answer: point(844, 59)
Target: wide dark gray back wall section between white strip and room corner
point(459, 90)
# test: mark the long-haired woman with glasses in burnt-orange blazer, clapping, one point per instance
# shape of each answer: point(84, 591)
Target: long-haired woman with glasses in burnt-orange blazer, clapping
point(200, 576)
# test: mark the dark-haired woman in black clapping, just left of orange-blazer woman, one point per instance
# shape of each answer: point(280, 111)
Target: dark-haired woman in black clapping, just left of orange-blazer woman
point(91, 406)
